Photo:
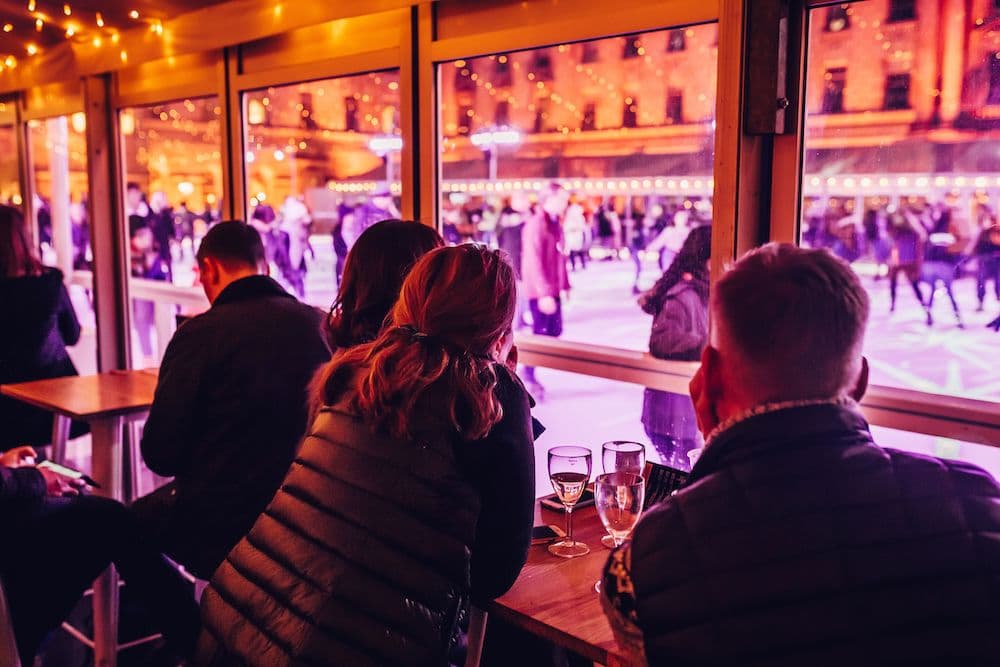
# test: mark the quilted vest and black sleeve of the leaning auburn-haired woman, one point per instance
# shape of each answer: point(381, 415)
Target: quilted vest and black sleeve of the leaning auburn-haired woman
point(371, 550)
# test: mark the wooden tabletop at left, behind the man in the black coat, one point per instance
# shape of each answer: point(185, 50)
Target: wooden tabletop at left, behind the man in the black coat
point(89, 396)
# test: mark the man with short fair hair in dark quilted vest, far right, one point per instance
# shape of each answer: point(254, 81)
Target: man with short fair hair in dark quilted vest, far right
point(797, 540)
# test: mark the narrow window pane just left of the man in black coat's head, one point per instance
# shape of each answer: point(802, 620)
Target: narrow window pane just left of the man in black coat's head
point(173, 182)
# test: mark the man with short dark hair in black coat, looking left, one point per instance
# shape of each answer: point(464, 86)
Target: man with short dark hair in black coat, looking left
point(230, 404)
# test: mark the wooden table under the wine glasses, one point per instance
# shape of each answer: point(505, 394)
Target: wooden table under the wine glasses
point(555, 599)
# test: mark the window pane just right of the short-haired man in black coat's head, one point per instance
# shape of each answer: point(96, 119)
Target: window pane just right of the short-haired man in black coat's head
point(322, 165)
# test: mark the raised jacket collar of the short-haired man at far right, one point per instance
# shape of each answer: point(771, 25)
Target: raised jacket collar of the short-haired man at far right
point(781, 425)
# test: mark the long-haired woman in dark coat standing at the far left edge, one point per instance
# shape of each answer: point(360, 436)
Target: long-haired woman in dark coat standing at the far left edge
point(39, 322)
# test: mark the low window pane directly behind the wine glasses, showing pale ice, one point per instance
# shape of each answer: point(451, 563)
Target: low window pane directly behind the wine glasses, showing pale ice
point(614, 410)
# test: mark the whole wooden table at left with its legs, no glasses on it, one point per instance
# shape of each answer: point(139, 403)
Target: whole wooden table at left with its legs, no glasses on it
point(106, 401)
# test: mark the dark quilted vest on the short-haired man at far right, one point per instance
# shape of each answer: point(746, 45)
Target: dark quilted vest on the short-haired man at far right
point(798, 541)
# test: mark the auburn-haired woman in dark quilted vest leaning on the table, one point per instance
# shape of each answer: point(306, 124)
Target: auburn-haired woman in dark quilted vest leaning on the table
point(412, 496)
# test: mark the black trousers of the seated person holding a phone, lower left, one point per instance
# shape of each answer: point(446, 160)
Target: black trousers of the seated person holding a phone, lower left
point(53, 550)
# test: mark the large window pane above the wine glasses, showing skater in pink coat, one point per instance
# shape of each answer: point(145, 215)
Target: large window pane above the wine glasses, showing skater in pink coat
point(626, 126)
